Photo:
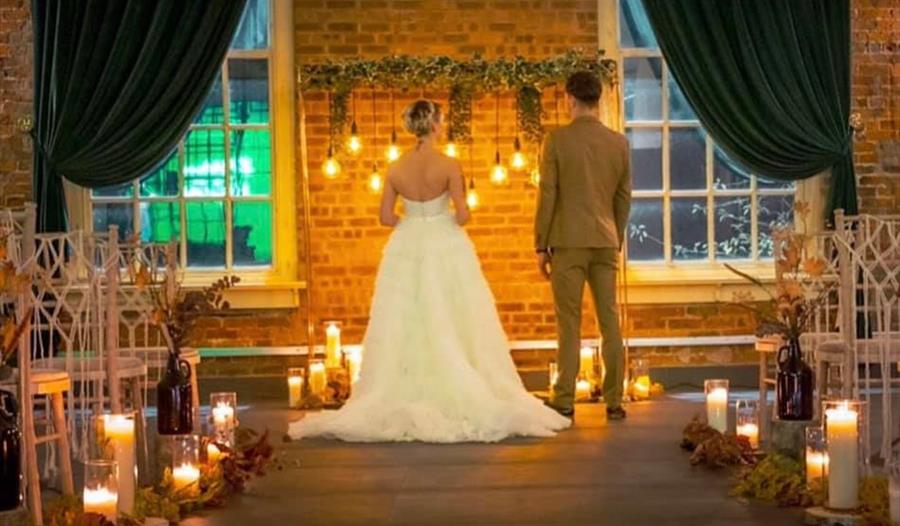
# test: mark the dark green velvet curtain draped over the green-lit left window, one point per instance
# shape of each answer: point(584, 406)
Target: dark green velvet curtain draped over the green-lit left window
point(116, 85)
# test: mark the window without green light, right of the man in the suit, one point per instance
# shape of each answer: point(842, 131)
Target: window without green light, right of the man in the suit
point(691, 202)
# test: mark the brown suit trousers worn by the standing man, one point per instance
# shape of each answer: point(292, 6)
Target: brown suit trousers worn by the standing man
point(569, 269)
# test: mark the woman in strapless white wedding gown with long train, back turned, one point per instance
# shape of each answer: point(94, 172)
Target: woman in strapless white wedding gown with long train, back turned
point(436, 364)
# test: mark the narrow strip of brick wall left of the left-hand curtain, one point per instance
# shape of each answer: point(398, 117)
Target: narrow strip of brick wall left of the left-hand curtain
point(15, 101)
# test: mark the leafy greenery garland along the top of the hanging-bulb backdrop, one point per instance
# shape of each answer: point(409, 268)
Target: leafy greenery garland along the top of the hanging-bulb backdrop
point(462, 78)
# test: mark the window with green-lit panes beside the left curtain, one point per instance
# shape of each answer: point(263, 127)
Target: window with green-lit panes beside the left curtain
point(214, 194)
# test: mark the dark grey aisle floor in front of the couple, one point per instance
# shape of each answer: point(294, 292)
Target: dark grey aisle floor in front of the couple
point(598, 473)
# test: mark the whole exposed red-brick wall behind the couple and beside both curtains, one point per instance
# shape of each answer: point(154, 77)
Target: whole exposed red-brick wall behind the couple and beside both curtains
point(346, 238)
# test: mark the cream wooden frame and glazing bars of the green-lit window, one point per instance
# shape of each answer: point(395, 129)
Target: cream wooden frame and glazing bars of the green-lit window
point(282, 272)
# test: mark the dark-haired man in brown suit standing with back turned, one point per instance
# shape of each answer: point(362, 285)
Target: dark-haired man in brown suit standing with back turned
point(583, 205)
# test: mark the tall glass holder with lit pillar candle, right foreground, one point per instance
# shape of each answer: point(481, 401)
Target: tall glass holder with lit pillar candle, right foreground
point(842, 420)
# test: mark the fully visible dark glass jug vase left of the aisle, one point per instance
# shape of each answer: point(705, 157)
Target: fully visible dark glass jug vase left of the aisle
point(173, 398)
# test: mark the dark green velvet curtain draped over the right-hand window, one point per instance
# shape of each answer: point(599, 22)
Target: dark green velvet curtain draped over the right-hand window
point(769, 80)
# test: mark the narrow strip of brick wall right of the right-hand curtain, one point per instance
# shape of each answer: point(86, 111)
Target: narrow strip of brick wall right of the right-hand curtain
point(876, 96)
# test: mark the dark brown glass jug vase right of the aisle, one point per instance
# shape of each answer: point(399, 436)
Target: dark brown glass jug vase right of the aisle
point(794, 384)
